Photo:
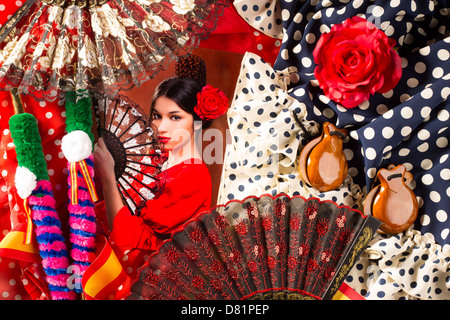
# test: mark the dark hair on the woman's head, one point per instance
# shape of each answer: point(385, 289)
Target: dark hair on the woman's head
point(183, 91)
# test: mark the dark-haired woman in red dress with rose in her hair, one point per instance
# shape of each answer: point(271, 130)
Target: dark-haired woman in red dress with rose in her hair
point(179, 110)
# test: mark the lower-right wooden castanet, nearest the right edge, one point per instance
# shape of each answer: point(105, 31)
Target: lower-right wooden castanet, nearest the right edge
point(392, 202)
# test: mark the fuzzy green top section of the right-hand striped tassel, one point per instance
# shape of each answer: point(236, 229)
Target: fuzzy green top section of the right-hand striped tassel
point(79, 112)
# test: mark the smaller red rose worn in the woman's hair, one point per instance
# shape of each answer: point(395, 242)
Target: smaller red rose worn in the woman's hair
point(211, 103)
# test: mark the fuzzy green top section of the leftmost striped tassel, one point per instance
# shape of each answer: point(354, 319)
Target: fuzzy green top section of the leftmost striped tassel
point(25, 134)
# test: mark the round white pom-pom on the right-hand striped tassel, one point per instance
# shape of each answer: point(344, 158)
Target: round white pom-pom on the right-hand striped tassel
point(76, 146)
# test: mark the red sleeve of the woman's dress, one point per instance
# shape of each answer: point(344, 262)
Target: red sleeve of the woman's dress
point(187, 192)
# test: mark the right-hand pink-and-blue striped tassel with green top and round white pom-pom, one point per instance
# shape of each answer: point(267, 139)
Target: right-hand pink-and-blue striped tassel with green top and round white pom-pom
point(77, 148)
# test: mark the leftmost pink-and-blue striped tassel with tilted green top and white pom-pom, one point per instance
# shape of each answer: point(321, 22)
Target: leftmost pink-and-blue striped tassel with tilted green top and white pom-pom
point(52, 247)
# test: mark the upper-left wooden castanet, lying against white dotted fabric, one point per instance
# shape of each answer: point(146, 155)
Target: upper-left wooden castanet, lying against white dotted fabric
point(322, 161)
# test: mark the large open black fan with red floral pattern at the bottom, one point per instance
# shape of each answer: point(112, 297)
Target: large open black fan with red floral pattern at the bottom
point(259, 248)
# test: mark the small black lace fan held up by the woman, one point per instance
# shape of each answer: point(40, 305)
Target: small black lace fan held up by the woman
point(127, 133)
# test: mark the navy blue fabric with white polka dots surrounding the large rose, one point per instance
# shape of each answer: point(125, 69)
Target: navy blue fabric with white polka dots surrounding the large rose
point(407, 125)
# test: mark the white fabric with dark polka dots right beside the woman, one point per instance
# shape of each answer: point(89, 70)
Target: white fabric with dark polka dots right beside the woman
point(266, 140)
